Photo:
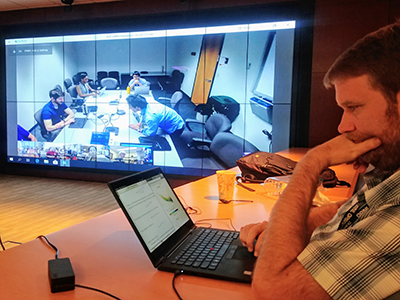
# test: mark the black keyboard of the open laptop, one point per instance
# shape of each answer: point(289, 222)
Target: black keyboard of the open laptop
point(206, 250)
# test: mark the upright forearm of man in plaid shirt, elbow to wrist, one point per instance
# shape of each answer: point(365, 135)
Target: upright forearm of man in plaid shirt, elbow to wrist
point(287, 233)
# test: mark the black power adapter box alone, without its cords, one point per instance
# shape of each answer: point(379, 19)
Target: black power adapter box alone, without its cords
point(61, 275)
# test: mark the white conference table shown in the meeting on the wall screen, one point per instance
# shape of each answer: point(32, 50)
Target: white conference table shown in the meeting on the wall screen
point(125, 134)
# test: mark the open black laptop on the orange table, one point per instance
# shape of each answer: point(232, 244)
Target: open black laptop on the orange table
point(165, 231)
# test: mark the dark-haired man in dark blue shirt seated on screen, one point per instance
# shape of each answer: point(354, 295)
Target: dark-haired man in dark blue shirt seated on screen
point(56, 114)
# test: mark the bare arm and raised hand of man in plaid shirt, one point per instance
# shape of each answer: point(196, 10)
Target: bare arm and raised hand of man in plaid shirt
point(278, 274)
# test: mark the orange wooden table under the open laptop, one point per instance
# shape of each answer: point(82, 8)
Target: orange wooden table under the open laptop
point(106, 254)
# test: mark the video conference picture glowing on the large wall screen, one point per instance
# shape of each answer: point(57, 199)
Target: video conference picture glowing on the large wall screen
point(190, 100)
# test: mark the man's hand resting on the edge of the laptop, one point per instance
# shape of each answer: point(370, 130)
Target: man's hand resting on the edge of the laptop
point(251, 232)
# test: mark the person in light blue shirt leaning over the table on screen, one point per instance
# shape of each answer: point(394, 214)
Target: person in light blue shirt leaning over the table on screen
point(154, 116)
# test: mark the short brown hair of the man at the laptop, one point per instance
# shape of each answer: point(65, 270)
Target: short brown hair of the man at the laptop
point(376, 55)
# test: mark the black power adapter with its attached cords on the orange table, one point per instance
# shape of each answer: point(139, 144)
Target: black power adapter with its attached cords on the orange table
point(61, 274)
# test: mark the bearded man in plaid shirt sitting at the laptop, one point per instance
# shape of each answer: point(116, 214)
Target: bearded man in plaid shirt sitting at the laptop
point(347, 249)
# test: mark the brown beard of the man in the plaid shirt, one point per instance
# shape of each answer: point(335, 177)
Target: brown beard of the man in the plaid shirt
point(387, 156)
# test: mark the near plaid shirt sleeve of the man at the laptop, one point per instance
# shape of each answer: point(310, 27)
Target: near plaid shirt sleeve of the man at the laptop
point(361, 262)
